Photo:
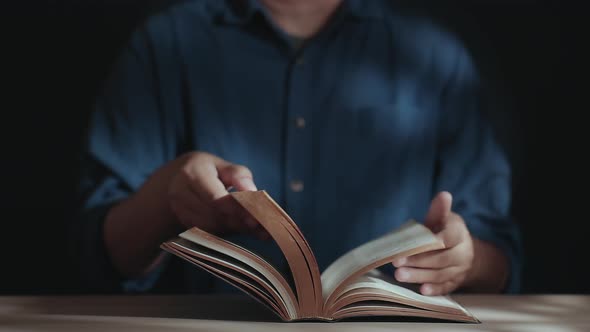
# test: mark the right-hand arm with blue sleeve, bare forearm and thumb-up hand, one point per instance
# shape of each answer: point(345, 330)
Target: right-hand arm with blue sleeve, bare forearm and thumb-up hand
point(483, 244)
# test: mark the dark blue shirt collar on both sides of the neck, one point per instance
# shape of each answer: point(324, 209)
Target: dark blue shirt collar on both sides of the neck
point(243, 11)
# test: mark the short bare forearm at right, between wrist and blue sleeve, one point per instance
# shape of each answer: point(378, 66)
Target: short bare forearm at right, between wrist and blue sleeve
point(489, 271)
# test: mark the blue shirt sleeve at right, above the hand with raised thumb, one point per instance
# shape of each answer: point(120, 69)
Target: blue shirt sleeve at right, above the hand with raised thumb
point(473, 167)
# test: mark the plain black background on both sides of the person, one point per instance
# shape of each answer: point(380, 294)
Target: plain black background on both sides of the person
point(55, 54)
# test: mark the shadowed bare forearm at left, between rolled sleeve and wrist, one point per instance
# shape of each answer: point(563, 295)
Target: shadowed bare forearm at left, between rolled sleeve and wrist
point(133, 231)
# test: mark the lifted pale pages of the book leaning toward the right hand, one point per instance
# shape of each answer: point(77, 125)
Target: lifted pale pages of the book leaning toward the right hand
point(411, 238)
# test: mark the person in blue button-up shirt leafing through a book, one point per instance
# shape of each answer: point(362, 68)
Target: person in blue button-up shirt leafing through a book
point(354, 115)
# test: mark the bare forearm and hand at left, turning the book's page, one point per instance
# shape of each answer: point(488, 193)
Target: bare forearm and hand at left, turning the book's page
point(188, 191)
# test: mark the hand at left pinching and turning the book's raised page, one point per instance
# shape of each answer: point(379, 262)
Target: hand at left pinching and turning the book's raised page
point(195, 187)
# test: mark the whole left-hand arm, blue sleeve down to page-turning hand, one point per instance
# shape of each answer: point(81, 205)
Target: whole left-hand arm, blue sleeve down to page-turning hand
point(136, 191)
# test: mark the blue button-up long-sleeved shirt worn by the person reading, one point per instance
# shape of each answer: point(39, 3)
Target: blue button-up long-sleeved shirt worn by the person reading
point(352, 134)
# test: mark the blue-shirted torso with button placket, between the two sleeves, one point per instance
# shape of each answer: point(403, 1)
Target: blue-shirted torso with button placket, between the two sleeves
point(342, 132)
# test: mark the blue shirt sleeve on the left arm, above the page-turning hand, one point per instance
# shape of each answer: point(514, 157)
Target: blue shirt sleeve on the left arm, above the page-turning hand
point(129, 136)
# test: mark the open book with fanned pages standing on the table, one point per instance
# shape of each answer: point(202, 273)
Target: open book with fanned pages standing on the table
point(350, 287)
